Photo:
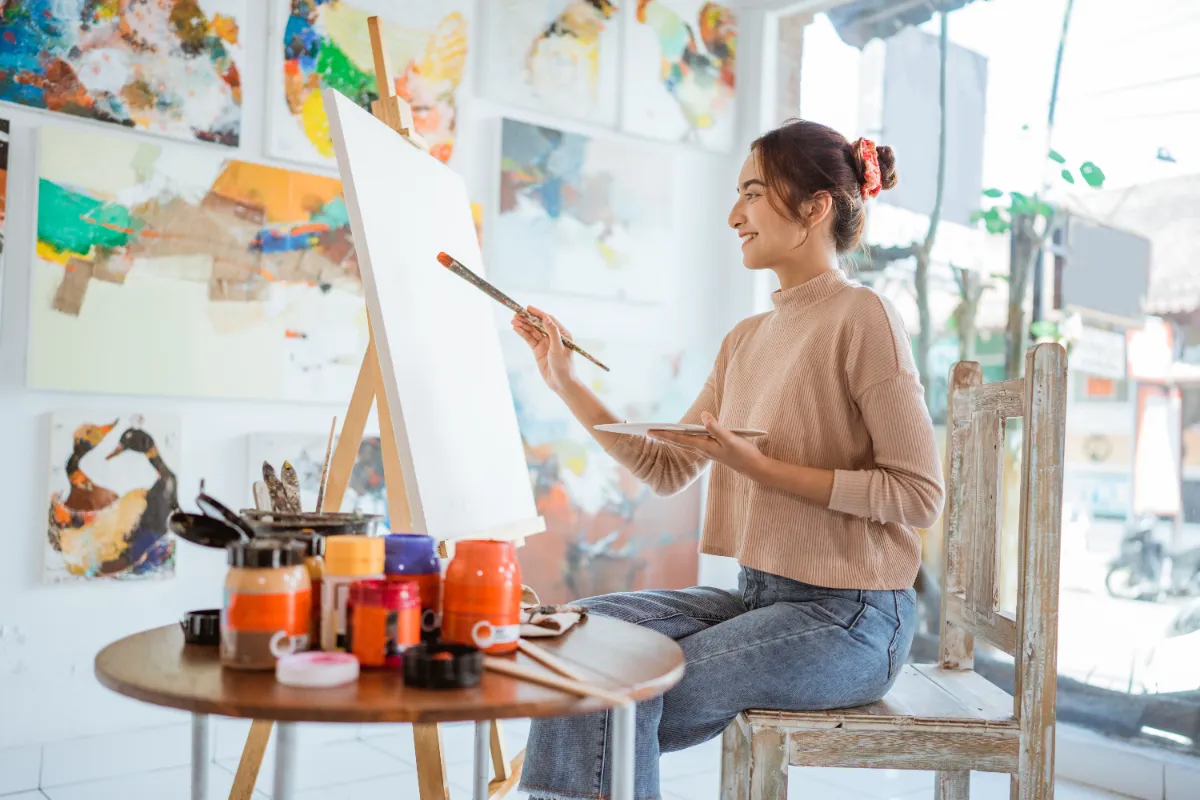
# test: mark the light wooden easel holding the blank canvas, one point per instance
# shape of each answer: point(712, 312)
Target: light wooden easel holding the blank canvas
point(431, 772)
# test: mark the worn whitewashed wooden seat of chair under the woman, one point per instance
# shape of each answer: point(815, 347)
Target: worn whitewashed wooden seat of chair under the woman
point(932, 719)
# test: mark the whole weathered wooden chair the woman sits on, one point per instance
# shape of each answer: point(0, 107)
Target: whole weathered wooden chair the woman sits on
point(946, 717)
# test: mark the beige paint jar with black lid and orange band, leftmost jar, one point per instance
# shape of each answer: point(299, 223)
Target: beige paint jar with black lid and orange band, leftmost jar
point(268, 604)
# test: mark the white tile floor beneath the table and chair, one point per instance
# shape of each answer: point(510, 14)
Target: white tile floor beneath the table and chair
point(352, 762)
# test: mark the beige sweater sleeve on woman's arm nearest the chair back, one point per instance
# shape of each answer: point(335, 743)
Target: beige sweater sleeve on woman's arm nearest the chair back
point(905, 484)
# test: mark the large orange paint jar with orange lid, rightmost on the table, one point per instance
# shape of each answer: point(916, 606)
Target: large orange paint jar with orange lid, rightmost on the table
point(482, 597)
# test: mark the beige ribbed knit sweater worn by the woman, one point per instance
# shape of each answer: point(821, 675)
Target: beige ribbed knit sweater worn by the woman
point(830, 376)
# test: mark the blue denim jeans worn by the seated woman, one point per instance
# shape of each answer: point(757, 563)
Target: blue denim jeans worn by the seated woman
point(776, 645)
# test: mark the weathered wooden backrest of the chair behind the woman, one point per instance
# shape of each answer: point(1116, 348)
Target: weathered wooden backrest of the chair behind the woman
point(975, 431)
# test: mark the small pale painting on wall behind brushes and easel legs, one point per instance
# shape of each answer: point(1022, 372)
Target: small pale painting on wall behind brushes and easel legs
point(307, 454)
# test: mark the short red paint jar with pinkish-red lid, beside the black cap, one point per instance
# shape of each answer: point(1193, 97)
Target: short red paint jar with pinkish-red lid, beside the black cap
point(386, 621)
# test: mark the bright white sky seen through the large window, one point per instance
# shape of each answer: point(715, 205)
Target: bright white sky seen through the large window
point(1131, 85)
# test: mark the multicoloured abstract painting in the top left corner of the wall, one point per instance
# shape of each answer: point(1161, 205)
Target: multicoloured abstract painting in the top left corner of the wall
point(161, 67)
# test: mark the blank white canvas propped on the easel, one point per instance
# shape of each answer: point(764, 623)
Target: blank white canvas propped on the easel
point(443, 374)
